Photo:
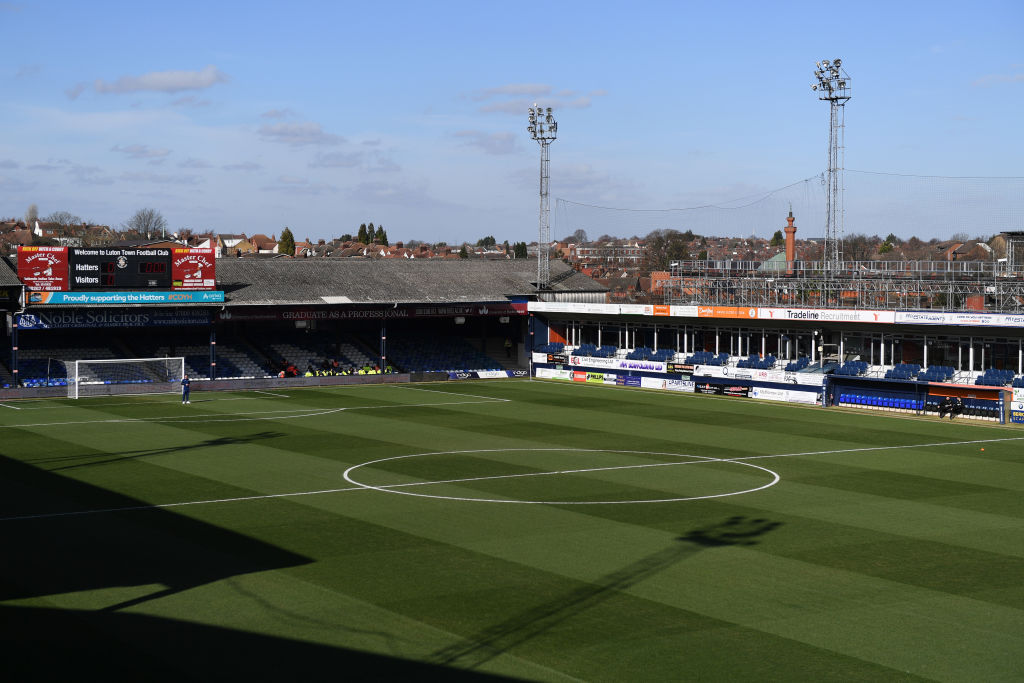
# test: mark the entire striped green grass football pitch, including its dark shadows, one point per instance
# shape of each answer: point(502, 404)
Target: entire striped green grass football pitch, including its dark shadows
point(524, 530)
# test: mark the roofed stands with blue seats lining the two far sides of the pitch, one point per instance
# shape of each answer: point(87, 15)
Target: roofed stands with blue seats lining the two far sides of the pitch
point(328, 322)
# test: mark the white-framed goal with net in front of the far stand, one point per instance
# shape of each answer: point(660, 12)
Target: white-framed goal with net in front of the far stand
point(118, 376)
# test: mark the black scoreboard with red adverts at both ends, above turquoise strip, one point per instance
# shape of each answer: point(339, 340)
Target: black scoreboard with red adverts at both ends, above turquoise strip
point(72, 269)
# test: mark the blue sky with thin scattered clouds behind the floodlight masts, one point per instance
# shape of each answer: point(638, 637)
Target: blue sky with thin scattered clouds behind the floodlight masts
point(253, 116)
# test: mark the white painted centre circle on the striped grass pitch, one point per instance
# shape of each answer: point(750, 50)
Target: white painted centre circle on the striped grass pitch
point(404, 489)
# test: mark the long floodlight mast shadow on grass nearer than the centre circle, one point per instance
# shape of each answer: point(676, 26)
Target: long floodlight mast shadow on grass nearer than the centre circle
point(496, 641)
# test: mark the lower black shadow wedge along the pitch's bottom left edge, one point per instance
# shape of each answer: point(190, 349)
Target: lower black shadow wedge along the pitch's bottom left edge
point(67, 646)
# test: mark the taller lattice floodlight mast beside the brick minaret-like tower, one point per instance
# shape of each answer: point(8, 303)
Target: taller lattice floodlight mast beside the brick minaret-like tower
point(834, 88)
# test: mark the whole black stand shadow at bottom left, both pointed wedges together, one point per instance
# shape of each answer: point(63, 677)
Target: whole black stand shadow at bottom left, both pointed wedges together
point(49, 557)
